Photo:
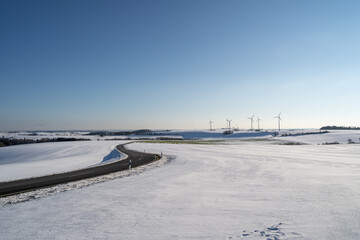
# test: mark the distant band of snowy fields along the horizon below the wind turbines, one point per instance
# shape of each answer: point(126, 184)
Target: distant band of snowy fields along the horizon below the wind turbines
point(340, 136)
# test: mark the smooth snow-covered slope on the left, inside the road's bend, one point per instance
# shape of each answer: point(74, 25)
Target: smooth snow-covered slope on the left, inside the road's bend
point(31, 160)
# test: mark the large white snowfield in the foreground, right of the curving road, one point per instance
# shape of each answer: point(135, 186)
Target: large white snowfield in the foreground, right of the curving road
point(249, 190)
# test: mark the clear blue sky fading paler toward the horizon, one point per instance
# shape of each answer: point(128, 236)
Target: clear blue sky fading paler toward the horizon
point(72, 64)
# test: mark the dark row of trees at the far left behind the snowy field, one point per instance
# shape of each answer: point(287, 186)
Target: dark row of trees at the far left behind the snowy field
point(16, 141)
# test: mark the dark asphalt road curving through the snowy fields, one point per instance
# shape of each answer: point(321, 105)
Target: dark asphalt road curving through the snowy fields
point(29, 184)
